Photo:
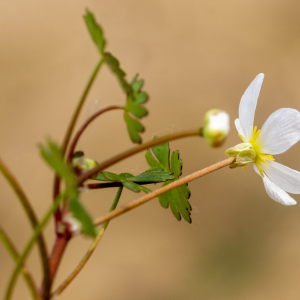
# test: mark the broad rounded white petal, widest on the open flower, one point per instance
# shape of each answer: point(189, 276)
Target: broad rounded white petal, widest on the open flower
point(280, 132)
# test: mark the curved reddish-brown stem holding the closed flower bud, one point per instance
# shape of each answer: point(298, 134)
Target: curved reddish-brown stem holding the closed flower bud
point(135, 150)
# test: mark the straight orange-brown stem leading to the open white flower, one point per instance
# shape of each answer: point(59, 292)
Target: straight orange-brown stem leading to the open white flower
point(163, 190)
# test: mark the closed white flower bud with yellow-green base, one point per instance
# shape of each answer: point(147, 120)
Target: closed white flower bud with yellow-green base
point(216, 127)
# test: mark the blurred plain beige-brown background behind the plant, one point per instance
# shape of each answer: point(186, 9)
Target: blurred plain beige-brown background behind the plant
point(194, 55)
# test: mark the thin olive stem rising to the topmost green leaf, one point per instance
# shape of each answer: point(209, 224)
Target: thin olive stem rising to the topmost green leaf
point(71, 127)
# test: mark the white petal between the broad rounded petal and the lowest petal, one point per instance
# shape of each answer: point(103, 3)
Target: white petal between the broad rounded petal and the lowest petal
point(284, 177)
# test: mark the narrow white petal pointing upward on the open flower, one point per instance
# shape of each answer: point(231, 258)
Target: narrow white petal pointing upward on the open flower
point(248, 105)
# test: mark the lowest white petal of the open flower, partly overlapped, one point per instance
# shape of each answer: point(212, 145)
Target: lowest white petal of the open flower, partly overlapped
point(275, 192)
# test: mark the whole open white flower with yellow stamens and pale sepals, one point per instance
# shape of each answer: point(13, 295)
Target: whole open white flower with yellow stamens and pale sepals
point(277, 135)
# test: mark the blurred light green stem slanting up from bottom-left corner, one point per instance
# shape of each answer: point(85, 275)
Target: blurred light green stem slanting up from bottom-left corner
point(30, 244)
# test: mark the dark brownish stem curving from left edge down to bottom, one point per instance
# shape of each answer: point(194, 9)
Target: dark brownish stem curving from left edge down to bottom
point(34, 222)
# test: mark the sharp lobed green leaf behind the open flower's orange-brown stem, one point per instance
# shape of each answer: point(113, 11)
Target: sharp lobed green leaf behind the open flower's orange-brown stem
point(177, 198)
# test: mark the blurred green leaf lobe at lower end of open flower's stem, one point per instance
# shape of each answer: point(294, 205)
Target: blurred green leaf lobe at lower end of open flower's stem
point(81, 214)
